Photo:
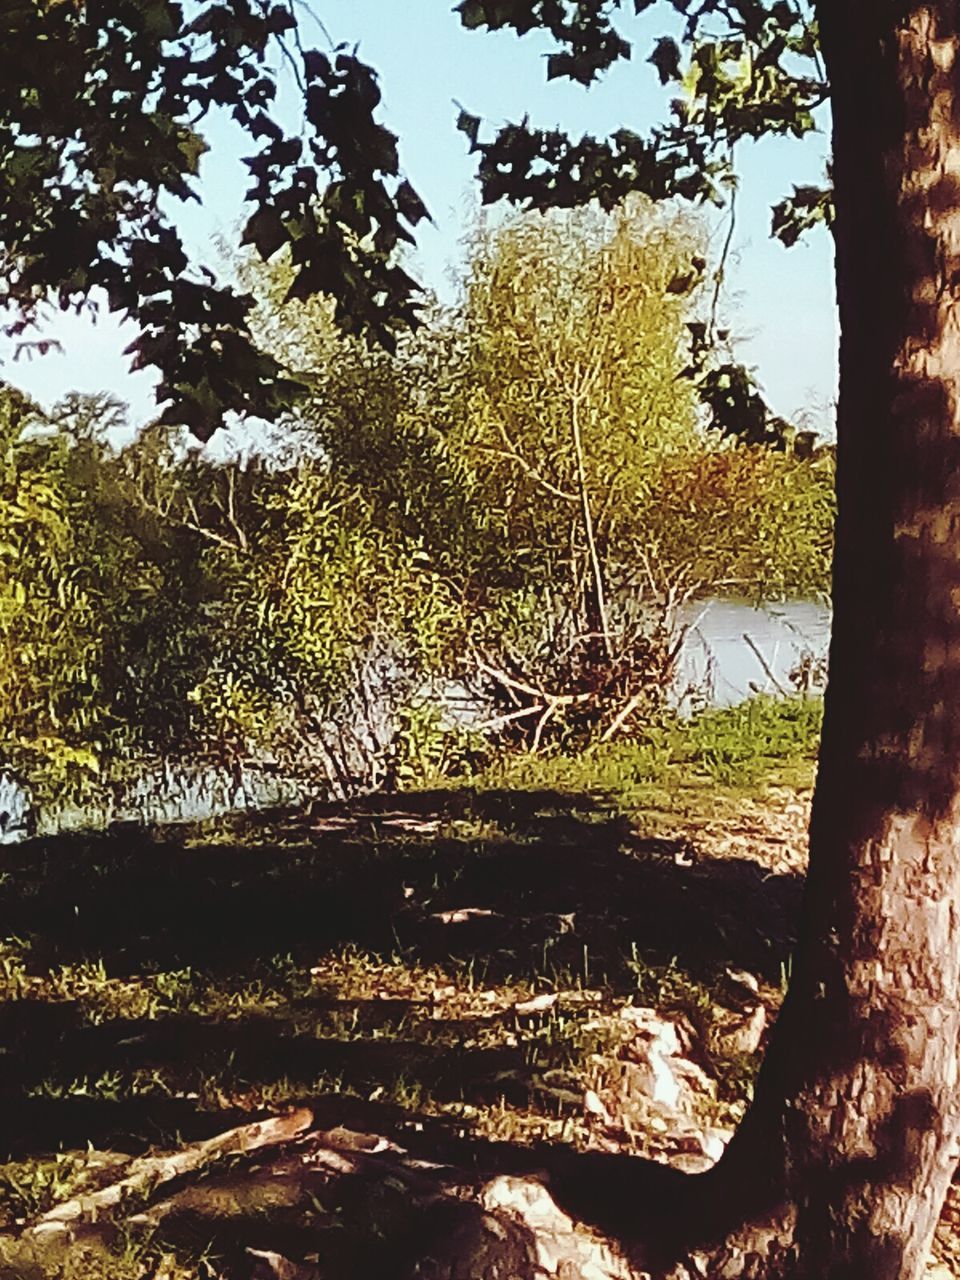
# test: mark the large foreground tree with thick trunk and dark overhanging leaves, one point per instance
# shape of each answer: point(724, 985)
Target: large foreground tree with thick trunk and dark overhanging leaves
point(842, 1165)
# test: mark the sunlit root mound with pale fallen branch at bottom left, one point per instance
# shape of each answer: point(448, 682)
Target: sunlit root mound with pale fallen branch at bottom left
point(281, 1200)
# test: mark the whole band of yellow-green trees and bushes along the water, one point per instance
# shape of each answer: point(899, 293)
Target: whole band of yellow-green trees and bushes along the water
point(520, 505)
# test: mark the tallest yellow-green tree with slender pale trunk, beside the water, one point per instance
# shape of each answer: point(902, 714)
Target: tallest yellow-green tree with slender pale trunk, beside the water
point(577, 342)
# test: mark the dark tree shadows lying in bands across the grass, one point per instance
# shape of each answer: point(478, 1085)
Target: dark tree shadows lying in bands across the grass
point(537, 890)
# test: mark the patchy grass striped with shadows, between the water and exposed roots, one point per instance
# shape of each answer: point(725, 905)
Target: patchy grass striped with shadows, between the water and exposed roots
point(162, 986)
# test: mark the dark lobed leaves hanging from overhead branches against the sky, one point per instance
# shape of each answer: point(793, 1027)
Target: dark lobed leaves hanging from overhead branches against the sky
point(103, 112)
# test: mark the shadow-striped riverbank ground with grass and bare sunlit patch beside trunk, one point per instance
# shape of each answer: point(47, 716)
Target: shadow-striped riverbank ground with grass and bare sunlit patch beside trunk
point(556, 957)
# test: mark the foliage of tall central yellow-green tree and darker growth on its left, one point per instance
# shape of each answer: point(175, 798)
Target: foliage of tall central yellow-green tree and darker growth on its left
point(504, 452)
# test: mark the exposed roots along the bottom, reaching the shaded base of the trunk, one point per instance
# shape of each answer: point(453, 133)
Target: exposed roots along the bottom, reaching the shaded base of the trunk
point(282, 1201)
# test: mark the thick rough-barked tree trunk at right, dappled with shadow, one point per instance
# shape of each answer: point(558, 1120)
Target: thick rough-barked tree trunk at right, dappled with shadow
point(857, 1124)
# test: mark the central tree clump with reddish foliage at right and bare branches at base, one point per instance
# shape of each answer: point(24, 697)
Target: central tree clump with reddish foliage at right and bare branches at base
point(536, 450)
